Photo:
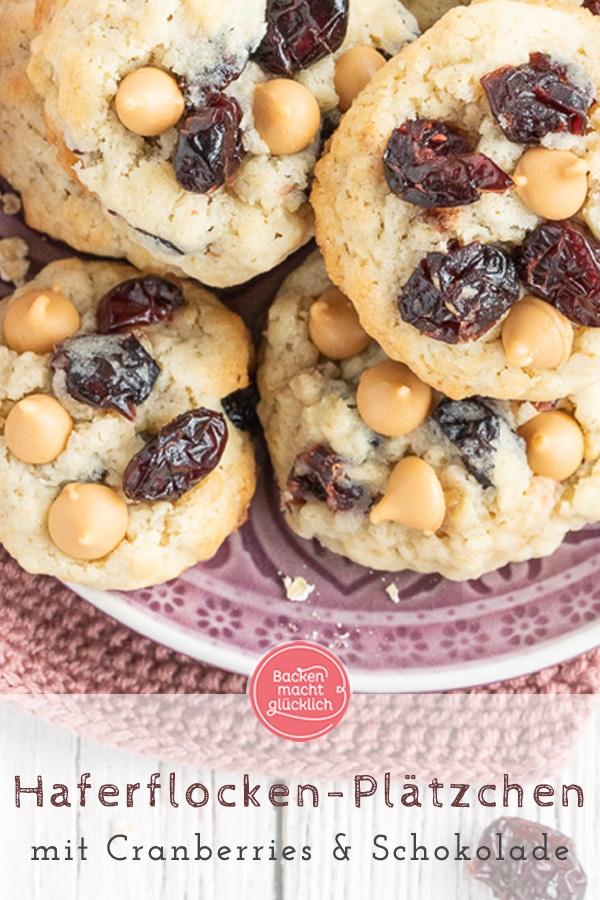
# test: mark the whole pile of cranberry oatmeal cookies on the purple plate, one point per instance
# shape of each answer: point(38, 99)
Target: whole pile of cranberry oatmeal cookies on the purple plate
point(429, 386)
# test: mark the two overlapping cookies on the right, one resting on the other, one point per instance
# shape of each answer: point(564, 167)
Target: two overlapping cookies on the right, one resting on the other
point(441, 366)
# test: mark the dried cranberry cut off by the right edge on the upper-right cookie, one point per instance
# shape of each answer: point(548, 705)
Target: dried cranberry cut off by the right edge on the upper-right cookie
point(560, 262)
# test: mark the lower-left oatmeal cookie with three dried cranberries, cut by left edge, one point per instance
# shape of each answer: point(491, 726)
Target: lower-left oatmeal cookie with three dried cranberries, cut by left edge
point(119, 467)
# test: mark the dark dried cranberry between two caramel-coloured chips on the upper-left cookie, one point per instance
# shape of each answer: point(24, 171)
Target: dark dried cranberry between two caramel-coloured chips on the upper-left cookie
point(209, 147)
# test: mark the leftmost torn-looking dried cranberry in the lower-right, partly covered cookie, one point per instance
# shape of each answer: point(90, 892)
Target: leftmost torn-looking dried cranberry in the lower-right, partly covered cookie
point(321, 473)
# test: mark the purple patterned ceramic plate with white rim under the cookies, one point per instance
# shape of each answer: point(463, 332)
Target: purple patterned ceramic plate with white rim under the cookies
point(436, 635)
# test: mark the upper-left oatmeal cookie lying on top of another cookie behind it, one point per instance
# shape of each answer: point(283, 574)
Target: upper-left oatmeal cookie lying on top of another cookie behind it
point(198, 124)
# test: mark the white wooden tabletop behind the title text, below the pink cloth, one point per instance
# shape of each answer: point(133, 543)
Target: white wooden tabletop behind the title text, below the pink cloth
point(30, 746)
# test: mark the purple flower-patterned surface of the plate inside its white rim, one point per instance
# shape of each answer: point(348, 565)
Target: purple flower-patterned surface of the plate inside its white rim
point(237, 600)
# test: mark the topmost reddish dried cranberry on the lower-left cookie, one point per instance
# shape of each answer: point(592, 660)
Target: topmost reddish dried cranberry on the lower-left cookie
point(139, 301)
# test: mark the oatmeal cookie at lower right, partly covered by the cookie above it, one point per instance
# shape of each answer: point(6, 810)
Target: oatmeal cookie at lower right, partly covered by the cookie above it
point(379, 468)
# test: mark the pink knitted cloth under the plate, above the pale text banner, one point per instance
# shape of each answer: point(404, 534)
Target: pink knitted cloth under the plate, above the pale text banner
point(52, 641)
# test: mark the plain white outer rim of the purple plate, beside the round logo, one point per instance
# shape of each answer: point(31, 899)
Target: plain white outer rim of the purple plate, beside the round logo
point(434, 679)
